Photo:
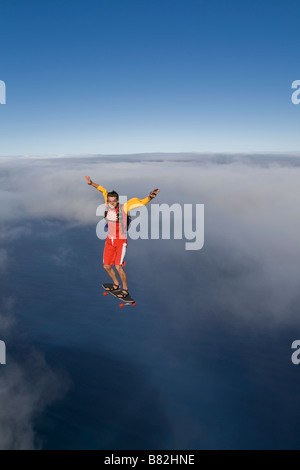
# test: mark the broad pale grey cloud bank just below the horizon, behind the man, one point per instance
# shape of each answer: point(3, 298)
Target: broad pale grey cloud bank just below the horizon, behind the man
point(251, 214)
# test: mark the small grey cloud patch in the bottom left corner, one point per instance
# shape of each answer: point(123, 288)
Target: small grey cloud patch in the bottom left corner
point(28, 385)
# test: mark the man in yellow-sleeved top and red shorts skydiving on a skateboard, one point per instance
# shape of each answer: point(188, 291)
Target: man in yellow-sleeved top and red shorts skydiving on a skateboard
point(116, 241)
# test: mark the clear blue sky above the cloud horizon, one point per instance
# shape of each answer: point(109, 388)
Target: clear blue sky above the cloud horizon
point(112, 76)
